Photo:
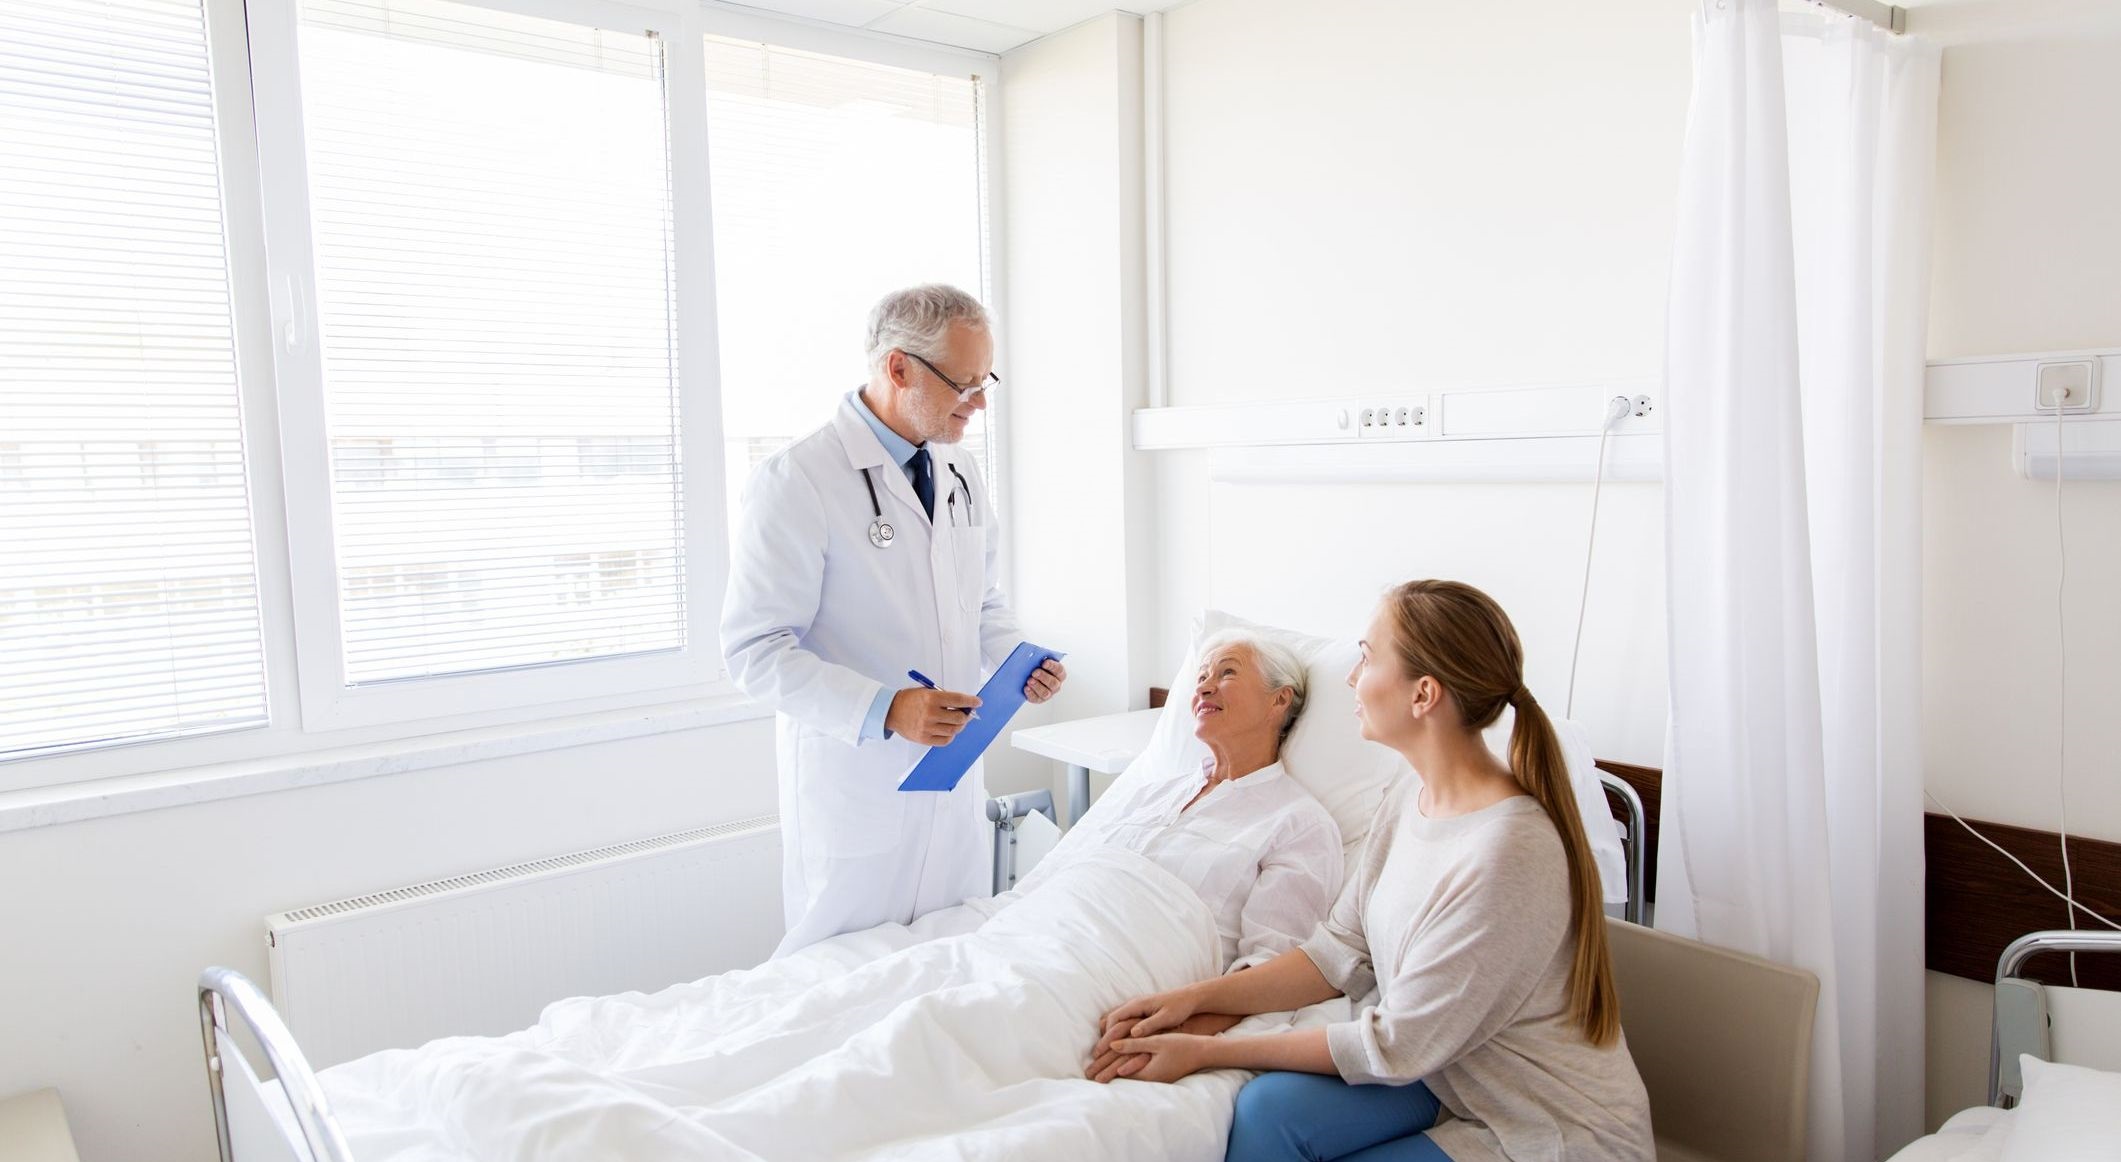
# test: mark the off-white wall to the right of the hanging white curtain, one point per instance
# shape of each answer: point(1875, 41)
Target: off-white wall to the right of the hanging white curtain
point(2029, 239)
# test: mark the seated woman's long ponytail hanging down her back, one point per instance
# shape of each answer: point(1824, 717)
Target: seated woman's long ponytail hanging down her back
point(1543, 773)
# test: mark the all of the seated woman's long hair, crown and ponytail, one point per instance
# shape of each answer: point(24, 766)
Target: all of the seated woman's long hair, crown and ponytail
point(1462, 639)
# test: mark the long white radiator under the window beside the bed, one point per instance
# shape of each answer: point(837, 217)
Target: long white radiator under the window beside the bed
point(485, 953)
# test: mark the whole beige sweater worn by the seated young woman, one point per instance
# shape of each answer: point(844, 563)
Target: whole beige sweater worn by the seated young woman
point(1456, 945)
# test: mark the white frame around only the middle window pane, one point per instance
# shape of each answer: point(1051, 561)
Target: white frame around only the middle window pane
point(328, 699)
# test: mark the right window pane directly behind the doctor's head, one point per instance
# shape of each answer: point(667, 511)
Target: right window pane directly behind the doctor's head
point(835, 181)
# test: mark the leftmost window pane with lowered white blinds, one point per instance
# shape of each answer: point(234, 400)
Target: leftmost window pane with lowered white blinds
point(128, 584)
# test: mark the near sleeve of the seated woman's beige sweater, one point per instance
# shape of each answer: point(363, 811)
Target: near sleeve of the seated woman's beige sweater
point(1469, 970)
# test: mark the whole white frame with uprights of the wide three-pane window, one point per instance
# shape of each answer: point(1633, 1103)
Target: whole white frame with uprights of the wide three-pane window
point(311, 724)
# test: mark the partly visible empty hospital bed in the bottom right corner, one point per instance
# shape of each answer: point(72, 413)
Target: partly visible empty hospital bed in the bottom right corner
point(2024, 1023)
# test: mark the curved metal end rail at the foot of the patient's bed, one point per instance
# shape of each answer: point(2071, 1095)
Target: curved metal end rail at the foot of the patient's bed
point(228, 993)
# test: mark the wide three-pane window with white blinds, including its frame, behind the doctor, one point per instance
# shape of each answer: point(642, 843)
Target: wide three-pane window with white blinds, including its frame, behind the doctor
point(480, 319)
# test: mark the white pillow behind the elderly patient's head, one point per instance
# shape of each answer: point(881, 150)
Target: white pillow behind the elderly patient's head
point(1344, 771)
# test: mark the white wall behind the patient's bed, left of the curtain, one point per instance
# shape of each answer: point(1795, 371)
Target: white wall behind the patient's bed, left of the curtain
point(1401, 196)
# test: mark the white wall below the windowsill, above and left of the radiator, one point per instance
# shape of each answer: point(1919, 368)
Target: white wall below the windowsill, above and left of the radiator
point(107, 923)
